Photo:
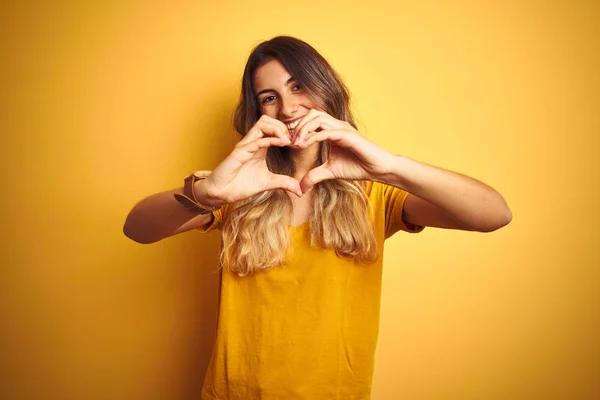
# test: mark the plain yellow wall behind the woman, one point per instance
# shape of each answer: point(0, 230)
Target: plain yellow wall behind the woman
point(103, 104)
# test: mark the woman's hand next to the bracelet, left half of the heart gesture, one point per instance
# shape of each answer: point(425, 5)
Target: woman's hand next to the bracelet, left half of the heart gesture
point(244, 172)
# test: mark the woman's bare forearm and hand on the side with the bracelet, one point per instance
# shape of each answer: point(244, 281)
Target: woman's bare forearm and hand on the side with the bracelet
point(241, 175)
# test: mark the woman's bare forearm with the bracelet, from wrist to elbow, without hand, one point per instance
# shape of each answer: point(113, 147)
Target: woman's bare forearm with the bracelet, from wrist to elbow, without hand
point(159, 216)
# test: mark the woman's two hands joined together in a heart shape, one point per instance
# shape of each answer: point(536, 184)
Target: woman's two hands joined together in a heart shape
point(244, 172)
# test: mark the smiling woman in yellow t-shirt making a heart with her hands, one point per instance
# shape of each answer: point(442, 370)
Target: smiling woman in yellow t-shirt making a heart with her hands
point(305, 203)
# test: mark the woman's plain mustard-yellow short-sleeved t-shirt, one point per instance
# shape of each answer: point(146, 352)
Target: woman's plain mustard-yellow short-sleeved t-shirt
point(307, 331)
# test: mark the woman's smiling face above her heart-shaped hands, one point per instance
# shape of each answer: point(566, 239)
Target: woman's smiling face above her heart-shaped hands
point(280, 95)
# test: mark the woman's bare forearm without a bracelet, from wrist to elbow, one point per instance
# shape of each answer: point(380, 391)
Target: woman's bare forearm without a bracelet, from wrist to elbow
point(468, 201)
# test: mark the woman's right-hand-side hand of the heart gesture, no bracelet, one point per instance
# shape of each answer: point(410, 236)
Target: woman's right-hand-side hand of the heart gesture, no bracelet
point(351, 155)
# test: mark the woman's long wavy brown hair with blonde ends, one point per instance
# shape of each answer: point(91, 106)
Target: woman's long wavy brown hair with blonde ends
point(255, 231)
